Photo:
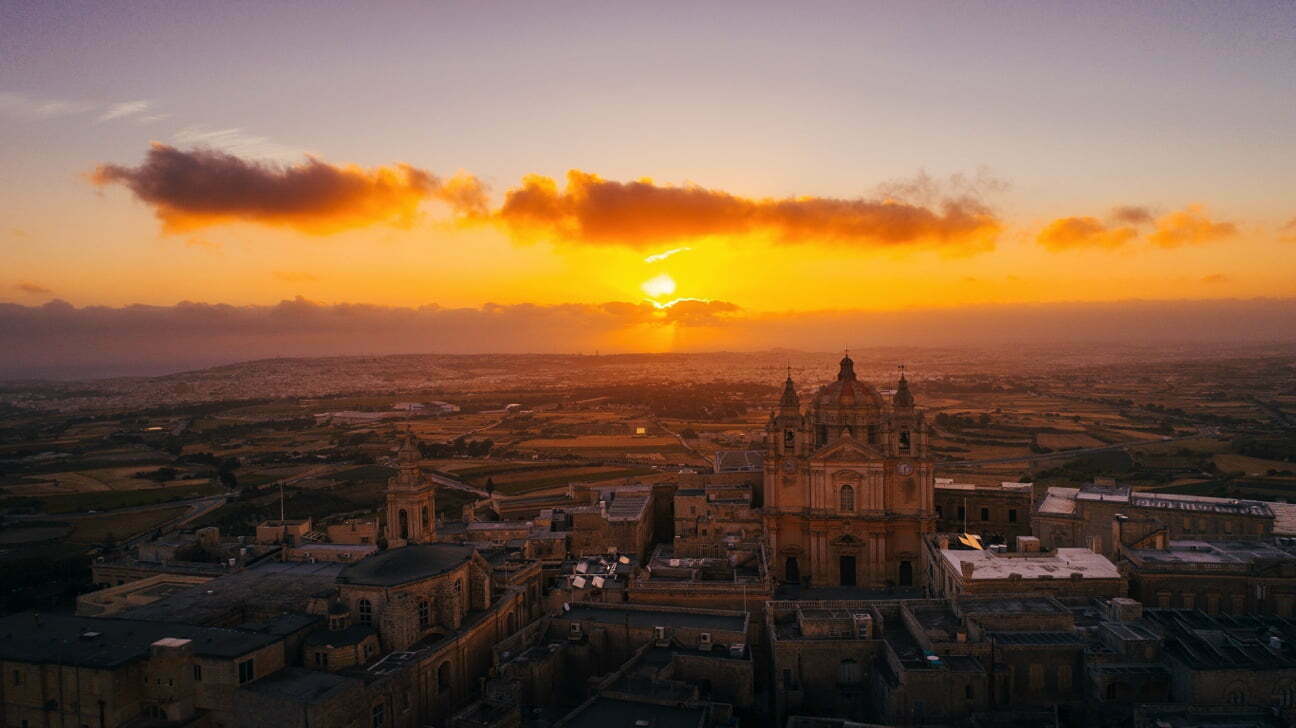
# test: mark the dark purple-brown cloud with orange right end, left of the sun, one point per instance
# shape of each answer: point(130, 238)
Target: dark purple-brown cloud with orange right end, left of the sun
point(205, 187)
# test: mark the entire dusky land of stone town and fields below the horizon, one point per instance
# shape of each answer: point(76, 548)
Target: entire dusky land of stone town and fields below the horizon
point(905, 537)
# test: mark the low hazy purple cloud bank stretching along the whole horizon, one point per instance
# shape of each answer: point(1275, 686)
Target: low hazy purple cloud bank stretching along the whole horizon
point(59, 340)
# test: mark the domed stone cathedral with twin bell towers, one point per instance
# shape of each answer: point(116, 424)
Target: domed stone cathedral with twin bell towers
point(848, 486)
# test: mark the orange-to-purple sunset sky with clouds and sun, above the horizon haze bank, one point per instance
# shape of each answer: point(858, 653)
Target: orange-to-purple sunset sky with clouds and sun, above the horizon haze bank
point(769, 159)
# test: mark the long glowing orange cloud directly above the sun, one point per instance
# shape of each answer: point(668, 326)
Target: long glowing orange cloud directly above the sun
point(640, 214)
